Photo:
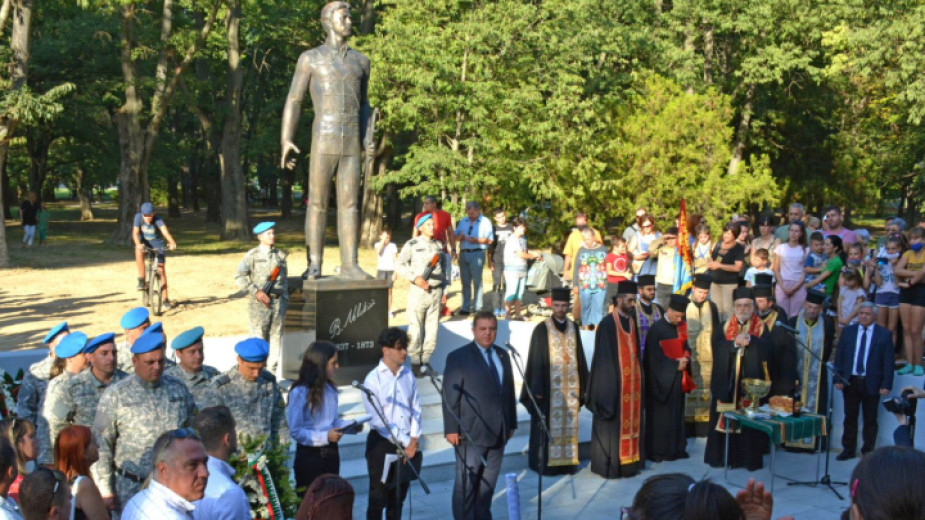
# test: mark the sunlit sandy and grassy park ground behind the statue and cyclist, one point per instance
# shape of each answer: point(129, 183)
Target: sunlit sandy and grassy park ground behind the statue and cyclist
point(78, 277)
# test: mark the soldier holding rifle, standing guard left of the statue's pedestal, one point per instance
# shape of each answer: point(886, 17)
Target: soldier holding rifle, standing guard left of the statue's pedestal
point(265, 310)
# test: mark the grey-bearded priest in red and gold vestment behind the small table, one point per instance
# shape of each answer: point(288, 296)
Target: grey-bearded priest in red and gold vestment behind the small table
point(738, 353)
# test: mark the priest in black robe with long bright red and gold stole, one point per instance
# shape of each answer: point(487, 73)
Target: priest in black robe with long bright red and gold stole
point(615, 391)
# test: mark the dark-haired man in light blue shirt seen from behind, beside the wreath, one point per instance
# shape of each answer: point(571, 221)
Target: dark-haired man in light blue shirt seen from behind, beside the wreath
point(224, 499)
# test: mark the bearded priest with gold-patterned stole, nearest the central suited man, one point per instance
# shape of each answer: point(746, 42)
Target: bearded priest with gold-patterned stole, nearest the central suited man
point(557, 373)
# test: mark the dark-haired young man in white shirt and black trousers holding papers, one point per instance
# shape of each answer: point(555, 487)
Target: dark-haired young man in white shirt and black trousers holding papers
point(394, 395)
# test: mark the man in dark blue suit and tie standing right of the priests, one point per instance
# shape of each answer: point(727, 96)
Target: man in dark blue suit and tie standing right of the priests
point(865, 357)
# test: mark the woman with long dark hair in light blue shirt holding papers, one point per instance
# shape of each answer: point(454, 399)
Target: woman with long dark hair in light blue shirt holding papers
point(312, 415)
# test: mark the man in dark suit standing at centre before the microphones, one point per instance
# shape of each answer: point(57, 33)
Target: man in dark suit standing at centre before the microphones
point(478, 386)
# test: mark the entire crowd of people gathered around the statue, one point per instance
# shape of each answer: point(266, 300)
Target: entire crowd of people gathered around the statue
point(116, 426)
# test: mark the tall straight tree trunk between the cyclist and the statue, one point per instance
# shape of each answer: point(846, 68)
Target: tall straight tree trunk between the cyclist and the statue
point(234, 202)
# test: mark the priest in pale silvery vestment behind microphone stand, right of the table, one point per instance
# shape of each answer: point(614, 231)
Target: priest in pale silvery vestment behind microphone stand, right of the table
point(817, 333)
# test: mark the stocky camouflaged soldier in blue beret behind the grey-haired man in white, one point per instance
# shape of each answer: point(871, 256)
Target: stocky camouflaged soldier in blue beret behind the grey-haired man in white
point(131, 415)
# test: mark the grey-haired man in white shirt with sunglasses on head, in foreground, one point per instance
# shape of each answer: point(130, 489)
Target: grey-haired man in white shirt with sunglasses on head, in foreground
point(179, 478)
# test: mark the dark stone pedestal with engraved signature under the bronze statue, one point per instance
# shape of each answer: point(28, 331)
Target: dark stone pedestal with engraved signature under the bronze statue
point(348, 313)
